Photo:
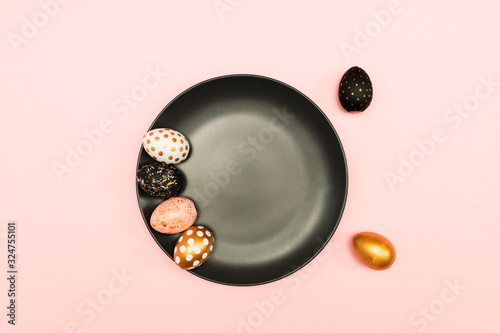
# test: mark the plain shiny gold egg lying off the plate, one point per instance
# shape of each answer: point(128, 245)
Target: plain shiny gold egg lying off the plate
point(374, 250)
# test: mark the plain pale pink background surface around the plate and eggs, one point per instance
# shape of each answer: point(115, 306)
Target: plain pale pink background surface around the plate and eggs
point(76, 233)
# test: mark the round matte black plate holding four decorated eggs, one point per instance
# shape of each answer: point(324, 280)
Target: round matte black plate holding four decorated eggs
point(266, 172)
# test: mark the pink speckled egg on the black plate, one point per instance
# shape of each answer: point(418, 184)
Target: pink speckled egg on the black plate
point(173, 215)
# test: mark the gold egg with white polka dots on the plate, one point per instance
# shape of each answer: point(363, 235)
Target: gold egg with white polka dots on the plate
point(193, 247)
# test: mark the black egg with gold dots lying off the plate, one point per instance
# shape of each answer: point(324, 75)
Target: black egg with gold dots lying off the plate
point(355, 90)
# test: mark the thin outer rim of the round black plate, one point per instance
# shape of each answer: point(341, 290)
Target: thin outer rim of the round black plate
point(346, 190)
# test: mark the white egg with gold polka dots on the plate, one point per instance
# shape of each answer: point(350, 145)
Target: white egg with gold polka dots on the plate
point(166, 145)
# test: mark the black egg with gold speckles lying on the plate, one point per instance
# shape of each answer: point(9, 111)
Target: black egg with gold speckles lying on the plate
point(160, 180)
